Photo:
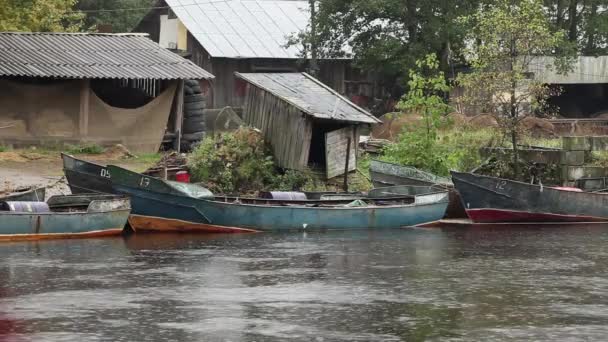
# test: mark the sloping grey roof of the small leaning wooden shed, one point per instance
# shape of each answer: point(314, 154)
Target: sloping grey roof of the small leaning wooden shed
point(310, 96)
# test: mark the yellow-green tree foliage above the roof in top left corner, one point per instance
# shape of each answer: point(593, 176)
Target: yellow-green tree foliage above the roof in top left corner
point(39, 15)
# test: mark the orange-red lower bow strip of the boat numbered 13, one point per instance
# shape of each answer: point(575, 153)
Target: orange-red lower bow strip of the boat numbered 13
point(152, 224)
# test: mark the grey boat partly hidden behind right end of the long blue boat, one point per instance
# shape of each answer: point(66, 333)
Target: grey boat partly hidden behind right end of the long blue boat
point(385, 174)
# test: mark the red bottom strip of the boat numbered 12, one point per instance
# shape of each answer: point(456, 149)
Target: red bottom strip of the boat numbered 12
point(500, 215)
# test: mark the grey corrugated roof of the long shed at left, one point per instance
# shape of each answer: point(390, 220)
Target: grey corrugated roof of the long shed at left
point(91, 55)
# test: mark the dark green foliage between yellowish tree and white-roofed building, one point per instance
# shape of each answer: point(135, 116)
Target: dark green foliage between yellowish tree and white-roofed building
point(122, 15)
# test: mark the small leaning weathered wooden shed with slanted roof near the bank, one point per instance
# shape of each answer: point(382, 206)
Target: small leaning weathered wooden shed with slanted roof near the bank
point(306, 122)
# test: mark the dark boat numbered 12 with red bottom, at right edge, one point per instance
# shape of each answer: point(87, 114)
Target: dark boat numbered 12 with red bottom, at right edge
point(489, 199)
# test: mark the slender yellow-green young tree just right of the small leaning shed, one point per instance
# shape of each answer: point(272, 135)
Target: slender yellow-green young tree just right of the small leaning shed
point(418, 145)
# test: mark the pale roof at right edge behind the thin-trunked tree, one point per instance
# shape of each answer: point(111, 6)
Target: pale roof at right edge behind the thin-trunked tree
point(586, 69)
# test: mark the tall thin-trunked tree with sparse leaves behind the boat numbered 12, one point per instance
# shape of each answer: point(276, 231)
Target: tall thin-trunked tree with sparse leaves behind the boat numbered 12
point(507, 38)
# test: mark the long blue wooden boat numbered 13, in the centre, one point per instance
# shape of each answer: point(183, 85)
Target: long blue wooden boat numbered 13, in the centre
point(167, 205)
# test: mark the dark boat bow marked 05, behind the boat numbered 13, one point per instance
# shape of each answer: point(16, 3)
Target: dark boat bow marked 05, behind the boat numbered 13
point(86, 177)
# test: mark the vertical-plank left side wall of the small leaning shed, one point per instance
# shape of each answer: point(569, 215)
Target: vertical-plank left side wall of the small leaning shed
point(285, 127)
